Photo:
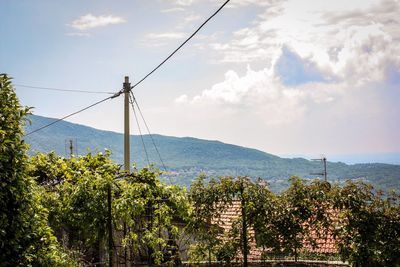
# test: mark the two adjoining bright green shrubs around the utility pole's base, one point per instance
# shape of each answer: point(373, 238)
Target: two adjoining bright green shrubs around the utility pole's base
point(144, 211)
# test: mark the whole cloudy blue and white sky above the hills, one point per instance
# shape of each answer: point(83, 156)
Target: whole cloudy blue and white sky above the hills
point(287, 77)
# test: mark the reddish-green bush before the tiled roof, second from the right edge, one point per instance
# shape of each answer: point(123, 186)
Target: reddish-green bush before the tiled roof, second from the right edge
point(286, 222)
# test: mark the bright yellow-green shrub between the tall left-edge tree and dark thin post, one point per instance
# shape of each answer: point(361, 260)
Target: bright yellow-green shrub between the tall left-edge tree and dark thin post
point(76, 196)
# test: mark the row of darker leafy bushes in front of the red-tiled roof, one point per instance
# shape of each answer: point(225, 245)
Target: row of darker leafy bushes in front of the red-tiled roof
point(364, 222)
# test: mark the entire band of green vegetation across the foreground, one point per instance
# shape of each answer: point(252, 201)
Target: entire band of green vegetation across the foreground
point(85, 211)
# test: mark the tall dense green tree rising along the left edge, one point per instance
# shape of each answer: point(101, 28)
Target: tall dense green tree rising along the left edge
point(25, 238)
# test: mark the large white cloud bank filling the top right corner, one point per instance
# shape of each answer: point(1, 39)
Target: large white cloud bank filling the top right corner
point(351, 43)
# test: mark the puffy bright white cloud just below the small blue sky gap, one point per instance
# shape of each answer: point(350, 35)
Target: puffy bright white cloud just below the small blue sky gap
point(262, 92)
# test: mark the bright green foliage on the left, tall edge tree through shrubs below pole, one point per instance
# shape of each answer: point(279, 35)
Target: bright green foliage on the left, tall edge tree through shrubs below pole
point(59, 211)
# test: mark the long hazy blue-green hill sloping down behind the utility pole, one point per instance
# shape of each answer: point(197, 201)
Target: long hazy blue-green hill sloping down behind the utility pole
point(186, 157)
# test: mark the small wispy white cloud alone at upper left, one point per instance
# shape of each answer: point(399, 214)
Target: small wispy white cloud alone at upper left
point(90, 21)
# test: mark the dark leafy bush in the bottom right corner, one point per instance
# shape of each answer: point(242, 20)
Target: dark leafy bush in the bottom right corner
point(368, 226)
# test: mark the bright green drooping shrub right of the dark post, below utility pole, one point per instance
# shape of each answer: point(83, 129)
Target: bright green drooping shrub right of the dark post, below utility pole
point(151, 212)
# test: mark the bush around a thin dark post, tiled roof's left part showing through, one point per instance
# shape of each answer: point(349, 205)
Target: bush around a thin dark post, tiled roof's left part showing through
point(209, 201)
